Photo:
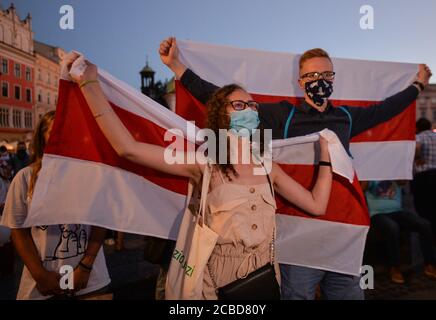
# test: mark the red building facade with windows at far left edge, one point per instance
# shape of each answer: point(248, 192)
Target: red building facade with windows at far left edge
point(17, 62)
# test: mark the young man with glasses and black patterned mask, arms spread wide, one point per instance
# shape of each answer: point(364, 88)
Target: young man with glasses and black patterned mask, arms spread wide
point(314, 114)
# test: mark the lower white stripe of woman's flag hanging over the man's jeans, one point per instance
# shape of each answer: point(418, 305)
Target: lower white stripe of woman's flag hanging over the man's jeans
point(320, 244)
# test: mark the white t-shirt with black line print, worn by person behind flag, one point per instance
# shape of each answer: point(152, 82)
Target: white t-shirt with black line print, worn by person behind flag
point(57, 245)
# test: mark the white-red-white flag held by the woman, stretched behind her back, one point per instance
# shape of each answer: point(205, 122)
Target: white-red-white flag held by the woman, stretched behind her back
point(83, 181)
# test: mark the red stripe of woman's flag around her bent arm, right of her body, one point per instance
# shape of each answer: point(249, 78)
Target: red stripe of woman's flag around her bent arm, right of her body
point(347, 202)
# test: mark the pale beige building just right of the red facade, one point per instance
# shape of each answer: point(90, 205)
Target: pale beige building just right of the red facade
point(47, 70)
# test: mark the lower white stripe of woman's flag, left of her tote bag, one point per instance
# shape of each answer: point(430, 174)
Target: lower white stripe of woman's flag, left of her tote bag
point(71, 191)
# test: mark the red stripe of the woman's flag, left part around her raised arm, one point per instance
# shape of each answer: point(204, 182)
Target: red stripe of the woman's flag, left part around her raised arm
point(76, 134)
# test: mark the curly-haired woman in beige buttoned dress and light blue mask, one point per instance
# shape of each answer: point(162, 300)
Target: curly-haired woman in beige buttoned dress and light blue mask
point(240, 205)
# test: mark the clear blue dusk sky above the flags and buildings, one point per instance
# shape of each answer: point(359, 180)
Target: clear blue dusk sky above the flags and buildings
point(118, 35)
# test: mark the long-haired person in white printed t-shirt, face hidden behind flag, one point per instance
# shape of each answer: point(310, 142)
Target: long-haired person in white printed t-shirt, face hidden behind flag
point(46, 249)
